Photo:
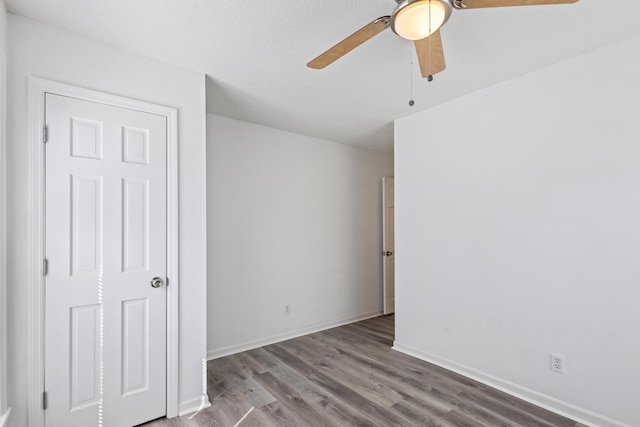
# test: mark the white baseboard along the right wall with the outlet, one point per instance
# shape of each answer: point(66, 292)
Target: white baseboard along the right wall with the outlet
point(552, 404)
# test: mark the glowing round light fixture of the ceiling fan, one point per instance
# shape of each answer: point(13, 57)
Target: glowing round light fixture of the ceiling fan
point(418, 19)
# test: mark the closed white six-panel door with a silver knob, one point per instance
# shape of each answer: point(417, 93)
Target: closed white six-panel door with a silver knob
point(105, 332)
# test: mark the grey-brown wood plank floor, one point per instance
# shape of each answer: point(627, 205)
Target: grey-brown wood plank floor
point(349, 376)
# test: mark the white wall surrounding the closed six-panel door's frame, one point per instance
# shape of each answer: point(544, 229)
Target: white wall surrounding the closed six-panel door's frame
point(43, 51)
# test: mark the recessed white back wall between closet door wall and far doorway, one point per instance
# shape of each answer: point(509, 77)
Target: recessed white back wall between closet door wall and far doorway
point(295, 221)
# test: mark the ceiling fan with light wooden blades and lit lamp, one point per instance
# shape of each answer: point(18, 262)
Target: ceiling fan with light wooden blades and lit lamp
point(419, 21)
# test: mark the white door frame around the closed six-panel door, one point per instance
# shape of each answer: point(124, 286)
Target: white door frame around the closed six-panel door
point(36, 119)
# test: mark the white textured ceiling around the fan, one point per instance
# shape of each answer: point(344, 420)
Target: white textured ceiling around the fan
point(254, 53)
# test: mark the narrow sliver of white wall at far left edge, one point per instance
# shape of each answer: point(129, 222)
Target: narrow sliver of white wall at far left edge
point(3, 264)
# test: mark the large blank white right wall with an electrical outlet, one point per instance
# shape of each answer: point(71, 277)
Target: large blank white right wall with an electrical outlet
point(518, 234)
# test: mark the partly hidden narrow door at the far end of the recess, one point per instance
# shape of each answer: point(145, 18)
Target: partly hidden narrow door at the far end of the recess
point(388, 249)
